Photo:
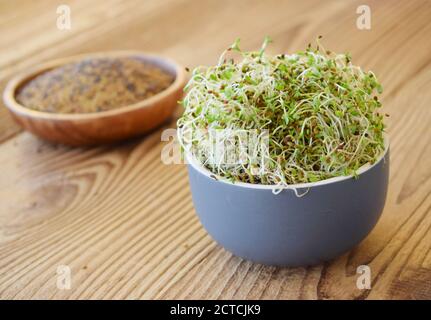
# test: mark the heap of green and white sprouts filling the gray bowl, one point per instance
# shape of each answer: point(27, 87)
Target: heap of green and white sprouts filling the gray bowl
point(319, 109)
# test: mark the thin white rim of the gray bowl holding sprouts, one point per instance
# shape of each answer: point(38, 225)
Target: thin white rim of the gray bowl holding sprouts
point(366, 167)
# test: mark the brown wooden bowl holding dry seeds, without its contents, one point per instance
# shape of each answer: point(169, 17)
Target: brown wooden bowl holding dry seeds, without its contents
point(94, 128)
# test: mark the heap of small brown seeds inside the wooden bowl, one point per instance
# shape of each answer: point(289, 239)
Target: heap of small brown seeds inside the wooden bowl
point(94, 85)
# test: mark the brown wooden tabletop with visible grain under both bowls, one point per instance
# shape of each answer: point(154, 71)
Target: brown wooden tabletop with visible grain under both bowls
point(124, 222)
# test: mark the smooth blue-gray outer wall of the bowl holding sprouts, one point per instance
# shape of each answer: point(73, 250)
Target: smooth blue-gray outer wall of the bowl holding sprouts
point(284, 230)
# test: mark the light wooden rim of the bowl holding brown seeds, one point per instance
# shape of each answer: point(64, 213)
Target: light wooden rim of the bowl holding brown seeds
point(9, 94)
